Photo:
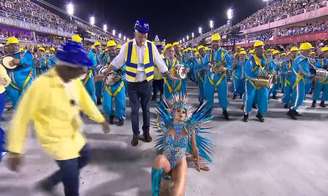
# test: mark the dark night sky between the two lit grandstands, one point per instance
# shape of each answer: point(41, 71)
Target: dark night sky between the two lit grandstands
point(170, 19)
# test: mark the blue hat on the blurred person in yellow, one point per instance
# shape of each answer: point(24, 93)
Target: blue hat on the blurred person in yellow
point(74, 53)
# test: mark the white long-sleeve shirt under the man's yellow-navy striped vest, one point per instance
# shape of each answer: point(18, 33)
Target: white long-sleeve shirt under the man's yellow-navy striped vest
point(120, 60)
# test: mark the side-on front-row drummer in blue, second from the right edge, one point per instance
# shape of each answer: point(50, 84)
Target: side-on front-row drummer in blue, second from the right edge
point(300, 72)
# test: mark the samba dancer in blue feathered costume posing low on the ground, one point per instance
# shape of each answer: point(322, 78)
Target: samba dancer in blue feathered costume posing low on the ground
point(181, 133)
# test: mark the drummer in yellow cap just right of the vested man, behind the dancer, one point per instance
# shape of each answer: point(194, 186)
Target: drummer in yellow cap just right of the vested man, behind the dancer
point(172, 85)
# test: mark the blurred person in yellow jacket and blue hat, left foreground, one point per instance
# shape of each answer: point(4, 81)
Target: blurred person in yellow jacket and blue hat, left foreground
point(53, 103)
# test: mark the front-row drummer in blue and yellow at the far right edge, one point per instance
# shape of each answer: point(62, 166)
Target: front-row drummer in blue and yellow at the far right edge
point(321, 86)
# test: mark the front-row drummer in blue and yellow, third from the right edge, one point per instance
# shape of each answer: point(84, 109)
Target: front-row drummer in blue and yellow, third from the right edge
point(256, 67)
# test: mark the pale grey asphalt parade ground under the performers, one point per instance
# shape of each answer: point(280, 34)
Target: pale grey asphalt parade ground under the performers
point(279, 157)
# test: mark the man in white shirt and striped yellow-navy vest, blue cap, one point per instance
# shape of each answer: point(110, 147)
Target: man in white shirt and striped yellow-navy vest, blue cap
point(140, 57)
